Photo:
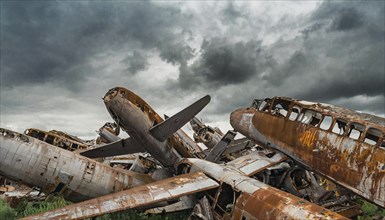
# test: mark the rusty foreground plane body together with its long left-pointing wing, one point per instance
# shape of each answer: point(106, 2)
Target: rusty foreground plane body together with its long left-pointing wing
point(233, 195)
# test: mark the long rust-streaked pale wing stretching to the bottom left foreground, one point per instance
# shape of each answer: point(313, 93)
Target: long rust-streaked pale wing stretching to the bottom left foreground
point(136, 197)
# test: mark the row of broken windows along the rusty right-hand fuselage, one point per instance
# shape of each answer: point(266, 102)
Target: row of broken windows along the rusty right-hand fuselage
point(340, 126)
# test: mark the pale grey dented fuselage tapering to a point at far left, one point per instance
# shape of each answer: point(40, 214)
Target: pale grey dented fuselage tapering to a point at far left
point(55, 170)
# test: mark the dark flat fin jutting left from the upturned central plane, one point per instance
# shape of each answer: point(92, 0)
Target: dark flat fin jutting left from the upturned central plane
point(121, 147)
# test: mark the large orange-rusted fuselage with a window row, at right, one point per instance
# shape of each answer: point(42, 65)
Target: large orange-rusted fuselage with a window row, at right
point(351, 161)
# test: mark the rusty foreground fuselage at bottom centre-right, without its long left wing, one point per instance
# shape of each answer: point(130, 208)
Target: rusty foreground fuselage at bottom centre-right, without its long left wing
point(254, 199)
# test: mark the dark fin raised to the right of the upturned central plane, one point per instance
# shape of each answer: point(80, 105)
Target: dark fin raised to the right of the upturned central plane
point(168, 127)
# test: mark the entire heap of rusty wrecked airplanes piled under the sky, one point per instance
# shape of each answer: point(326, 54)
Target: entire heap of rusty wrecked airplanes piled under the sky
point(298, 160)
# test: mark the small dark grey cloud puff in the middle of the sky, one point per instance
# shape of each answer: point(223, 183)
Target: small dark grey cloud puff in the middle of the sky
point(224, 62)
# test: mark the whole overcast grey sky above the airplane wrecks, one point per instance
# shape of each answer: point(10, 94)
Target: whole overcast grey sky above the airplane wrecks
point(58, 58)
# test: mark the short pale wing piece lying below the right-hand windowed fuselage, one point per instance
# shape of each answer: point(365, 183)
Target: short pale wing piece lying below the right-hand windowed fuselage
point(255, 162)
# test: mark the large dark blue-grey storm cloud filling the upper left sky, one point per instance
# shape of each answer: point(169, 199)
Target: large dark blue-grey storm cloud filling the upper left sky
point(54, 41)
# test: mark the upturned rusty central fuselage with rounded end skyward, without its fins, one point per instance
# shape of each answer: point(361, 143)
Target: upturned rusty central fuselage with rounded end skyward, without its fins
point(136, 117)
